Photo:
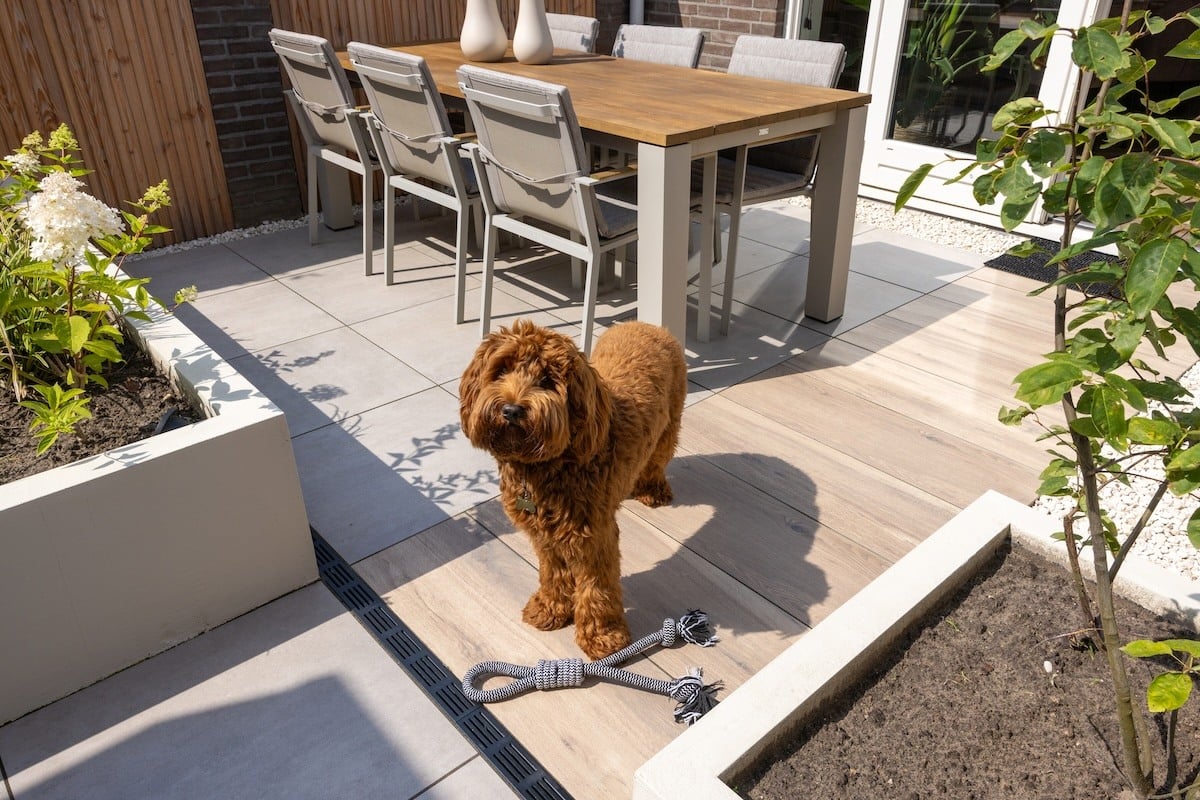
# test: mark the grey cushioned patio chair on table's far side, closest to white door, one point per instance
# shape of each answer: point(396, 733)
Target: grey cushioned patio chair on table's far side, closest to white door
point(770, 171)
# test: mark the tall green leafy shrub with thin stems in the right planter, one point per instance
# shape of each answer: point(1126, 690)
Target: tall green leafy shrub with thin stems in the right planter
point(1141, 199)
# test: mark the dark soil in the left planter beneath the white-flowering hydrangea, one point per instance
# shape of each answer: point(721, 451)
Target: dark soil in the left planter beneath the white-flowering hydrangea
point(129, 411)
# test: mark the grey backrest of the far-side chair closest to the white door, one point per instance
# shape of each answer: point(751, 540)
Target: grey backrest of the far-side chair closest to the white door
point(794, 61)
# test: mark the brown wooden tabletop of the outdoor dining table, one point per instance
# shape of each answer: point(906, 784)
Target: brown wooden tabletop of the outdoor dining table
point(649, 103)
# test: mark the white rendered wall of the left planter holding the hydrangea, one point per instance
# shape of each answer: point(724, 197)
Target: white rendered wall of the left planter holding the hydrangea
point(116, 558)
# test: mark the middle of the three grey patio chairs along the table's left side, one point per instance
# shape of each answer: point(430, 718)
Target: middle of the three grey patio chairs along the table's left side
point(417, 151)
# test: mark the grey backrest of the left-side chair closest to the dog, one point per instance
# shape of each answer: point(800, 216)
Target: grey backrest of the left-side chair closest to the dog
point(531, 143)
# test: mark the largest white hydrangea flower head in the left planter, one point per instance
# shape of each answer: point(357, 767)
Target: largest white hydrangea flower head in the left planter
point(64, 219)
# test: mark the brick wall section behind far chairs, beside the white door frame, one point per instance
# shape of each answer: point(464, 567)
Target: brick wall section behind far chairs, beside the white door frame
point(723, 22)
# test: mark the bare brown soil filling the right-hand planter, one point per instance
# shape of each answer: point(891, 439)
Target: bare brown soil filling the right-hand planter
point(998, 696)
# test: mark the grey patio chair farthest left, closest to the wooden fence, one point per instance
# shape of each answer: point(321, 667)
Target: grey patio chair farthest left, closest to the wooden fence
point(331, 125)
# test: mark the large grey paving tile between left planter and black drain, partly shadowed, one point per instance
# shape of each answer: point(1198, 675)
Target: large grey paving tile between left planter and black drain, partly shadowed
point(295, 700)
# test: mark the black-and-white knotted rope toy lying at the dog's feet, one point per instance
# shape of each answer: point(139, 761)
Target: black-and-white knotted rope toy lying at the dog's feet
point(694, 696)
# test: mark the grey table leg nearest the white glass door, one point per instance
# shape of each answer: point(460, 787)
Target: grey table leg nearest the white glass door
point(835, 196)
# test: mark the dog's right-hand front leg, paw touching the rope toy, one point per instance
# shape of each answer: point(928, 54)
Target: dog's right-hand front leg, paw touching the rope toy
point(601, 627)
